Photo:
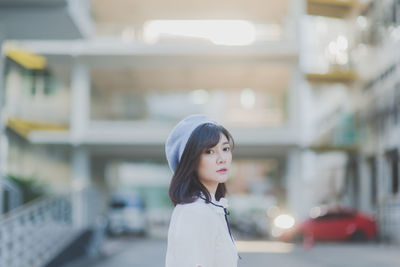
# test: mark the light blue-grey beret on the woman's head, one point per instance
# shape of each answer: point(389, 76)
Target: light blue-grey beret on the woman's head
point(179, 136)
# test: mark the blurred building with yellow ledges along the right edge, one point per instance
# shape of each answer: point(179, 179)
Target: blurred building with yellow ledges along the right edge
point(357, 107)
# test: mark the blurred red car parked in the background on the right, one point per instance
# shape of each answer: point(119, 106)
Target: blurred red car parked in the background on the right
point(334, 224)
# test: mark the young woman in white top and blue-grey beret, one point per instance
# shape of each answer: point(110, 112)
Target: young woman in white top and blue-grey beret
point(198, 151)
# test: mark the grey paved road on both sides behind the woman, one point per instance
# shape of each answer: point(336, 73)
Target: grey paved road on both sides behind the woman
point(142, 252)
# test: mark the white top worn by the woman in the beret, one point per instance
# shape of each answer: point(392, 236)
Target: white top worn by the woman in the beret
point(198, 236)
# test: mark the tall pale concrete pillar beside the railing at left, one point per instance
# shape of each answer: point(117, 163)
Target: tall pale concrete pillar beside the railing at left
point(80, 158)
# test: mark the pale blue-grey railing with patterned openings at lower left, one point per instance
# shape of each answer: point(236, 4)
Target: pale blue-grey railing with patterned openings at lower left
point(34, 233)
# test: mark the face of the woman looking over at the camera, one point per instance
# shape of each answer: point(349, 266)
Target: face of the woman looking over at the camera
point(214, 164)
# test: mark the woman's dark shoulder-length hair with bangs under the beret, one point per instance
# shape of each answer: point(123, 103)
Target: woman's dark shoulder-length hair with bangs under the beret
point(185, 185)
